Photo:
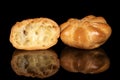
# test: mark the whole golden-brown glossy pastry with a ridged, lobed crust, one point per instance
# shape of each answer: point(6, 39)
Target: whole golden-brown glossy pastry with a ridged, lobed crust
point(87, 33)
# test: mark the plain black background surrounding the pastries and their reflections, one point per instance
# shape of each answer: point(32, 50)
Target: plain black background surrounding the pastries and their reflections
point(59, 11)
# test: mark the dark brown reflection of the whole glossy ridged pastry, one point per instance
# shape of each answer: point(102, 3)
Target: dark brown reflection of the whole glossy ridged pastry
point(84, 61)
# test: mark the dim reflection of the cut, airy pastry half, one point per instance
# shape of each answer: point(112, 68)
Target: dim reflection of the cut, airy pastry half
point(41, 64)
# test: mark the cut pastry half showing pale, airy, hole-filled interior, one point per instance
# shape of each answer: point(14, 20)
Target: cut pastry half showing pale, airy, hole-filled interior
point(33, 34)
